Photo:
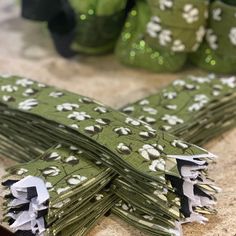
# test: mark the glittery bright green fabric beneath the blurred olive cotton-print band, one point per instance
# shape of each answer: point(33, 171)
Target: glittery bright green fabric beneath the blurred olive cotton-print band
point(133, 48)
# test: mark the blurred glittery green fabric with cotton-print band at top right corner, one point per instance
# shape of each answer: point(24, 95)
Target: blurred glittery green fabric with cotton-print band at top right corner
point(217, 53)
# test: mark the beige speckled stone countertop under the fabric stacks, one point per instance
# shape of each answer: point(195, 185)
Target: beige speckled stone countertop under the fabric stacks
point(26, 49)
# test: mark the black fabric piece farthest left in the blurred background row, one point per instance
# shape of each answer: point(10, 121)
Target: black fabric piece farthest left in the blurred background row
point(40, 10)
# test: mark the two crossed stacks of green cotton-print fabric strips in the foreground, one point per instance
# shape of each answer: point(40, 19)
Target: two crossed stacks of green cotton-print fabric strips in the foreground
point(84, 158)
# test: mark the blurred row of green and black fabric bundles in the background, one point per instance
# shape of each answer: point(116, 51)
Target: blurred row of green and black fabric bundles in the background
point(157, 35)
